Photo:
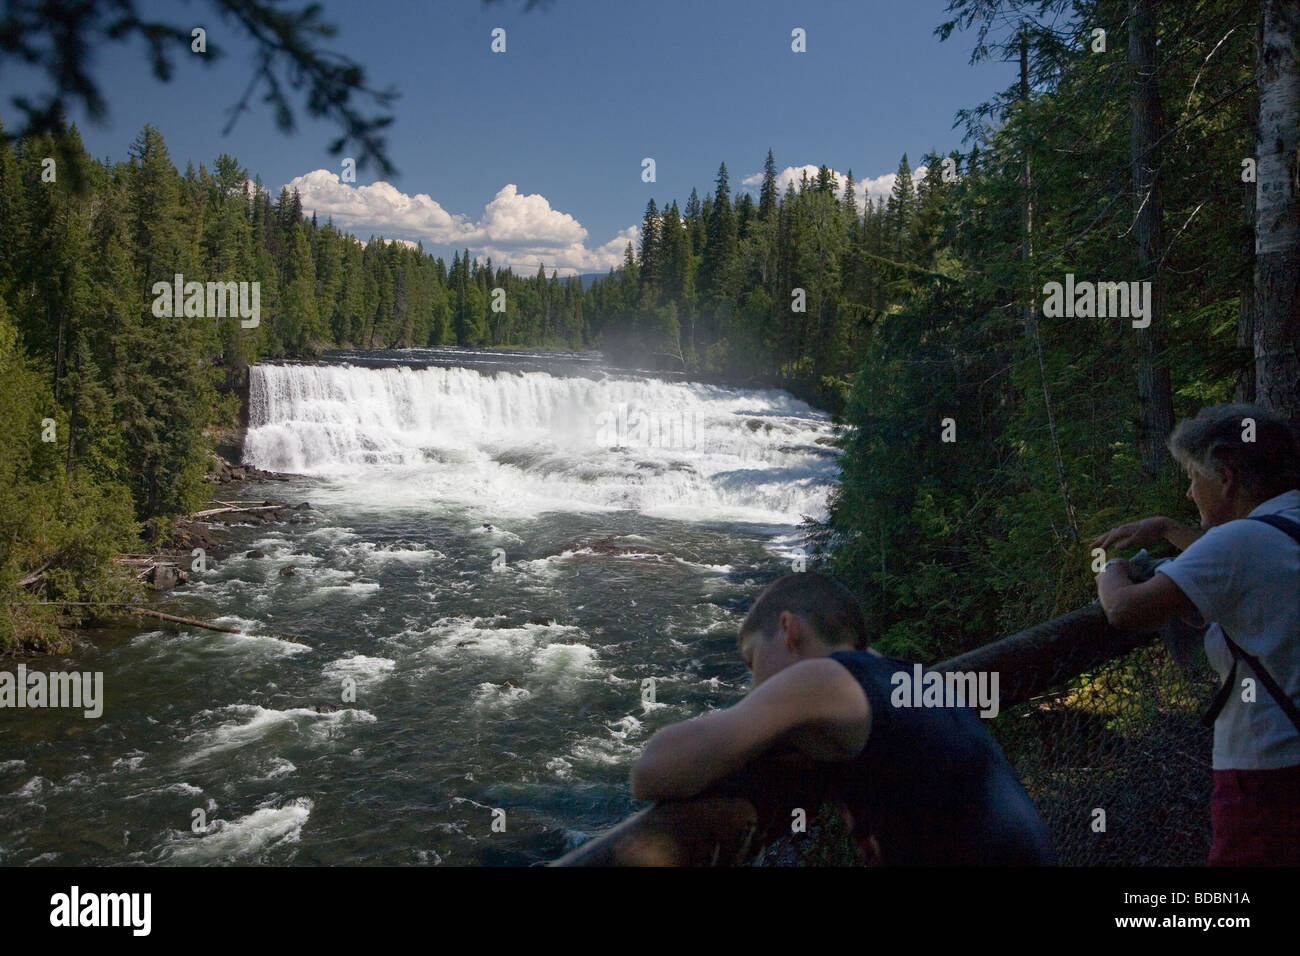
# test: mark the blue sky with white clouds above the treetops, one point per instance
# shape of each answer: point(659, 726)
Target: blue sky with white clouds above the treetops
point(535, 155)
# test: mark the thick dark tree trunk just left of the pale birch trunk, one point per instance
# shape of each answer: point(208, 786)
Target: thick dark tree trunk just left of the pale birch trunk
point(1155, 396)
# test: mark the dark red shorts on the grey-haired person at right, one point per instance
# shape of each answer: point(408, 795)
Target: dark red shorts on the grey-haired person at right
point(1256, 817)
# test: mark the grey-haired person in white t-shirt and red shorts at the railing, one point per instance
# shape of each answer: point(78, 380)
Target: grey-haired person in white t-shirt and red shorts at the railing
point(1242, 577)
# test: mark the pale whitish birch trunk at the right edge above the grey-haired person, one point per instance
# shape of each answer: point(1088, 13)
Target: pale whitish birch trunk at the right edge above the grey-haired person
point(1277, 220)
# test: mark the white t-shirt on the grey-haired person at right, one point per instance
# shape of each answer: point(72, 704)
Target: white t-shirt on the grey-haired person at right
point(1245, 578)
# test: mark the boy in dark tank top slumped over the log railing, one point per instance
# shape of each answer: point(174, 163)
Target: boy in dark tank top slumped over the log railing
point(925, 785)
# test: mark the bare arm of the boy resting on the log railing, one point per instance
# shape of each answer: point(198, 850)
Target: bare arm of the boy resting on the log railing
point(818, 703)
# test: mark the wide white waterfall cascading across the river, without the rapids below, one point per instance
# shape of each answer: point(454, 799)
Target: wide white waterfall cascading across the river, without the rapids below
point(526, 443)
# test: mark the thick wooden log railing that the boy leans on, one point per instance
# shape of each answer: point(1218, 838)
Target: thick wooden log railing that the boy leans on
point(729, 824)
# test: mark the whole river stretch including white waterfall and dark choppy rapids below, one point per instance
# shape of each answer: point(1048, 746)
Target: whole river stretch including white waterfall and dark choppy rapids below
point(496, 560)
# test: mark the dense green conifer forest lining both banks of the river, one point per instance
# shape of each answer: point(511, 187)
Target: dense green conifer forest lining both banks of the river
point(986, 442)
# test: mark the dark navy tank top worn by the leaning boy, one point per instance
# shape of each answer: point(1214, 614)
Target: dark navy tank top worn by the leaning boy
point(933, 786)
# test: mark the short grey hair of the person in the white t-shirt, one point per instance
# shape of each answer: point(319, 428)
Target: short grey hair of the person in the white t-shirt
point(1260, 447)
